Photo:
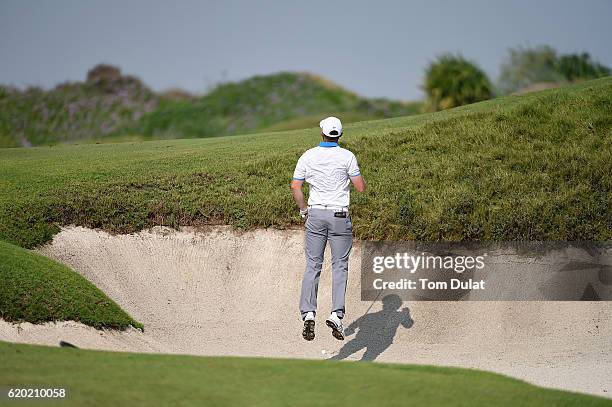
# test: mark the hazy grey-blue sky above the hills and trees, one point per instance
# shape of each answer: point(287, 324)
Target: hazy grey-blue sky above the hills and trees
point(376, 48)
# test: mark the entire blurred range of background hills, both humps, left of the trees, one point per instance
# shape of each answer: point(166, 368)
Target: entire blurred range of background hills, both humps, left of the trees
point(110, 106)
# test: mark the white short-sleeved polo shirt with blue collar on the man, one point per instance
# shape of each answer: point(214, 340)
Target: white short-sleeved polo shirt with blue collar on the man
point(327, 168)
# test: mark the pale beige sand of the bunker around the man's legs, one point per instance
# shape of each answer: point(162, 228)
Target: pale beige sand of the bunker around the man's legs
point(219, 292)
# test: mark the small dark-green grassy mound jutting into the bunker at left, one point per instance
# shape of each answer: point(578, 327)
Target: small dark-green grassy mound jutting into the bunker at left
point(36, 289)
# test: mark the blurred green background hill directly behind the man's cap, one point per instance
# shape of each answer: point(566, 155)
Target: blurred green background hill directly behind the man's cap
point(260, 102)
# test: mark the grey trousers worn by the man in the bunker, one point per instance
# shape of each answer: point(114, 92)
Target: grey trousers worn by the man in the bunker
point(322, 226)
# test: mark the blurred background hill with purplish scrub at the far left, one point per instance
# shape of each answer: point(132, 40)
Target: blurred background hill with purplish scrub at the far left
point(72, 112)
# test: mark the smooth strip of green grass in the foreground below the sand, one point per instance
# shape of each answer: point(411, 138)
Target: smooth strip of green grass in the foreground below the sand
point(97, 378)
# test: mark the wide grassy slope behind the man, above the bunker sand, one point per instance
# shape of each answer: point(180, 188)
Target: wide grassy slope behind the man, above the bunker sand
point(532, 167)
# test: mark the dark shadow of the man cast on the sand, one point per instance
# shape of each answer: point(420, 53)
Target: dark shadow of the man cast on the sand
point(376, 331)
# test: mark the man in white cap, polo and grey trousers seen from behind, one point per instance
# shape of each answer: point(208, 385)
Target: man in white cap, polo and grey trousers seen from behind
point(329, 170)
